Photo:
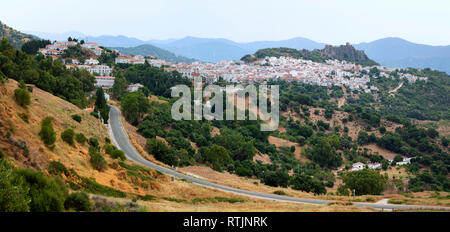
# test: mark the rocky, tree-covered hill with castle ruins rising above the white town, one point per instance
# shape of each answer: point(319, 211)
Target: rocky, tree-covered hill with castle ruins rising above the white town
point(344, 52)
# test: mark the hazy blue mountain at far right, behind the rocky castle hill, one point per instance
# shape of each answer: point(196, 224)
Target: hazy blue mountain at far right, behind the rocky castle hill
point(397, 52)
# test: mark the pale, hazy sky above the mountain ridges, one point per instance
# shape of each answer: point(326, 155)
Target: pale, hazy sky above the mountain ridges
point(327, 21)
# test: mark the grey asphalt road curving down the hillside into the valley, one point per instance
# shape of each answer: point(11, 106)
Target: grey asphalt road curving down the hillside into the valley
point(121, 140)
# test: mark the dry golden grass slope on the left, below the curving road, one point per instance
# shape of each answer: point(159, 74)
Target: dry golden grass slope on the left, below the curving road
point(20, 142)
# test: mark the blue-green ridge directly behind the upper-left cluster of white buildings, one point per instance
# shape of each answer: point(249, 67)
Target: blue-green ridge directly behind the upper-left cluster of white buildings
point(148, 49)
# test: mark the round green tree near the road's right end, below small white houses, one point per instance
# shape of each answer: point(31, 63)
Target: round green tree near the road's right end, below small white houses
point(364, 182)
